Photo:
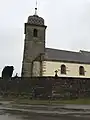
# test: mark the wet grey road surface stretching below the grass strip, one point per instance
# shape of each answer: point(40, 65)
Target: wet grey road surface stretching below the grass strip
point(38, 114)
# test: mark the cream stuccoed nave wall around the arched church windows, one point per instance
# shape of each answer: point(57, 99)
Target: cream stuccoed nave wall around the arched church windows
point(72, 69)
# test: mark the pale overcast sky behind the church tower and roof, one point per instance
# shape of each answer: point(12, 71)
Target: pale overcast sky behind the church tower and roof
point(68, 27)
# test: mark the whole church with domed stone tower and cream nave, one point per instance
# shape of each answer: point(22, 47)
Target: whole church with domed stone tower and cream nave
point(41, 61)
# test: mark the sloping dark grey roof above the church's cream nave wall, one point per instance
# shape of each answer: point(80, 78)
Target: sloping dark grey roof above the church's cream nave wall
point(69, 56)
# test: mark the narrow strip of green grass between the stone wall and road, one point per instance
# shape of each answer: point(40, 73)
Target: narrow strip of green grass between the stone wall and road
point(48, 102)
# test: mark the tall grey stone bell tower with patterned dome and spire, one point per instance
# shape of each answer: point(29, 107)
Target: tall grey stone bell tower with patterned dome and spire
point(34, 43)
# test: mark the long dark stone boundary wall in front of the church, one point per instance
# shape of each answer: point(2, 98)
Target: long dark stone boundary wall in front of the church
point(60, 87)
